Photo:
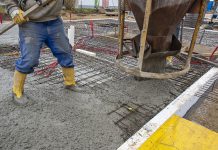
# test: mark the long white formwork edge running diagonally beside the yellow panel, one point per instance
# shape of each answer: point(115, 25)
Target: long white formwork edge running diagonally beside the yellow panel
point(179, 106)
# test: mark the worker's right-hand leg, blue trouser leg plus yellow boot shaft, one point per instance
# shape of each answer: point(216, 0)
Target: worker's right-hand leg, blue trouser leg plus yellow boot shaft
point(62, 50)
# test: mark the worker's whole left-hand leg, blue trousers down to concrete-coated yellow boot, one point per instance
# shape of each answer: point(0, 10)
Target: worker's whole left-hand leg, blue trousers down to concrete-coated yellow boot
point(31, 39)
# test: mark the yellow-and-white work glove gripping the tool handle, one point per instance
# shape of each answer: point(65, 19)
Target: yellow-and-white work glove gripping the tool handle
point(17, 16)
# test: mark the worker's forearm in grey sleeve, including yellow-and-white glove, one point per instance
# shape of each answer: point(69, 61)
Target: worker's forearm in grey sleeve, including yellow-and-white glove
point(14, 11)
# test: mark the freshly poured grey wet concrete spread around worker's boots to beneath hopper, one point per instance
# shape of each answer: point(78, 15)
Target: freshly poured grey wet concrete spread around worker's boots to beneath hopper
point(59, 119)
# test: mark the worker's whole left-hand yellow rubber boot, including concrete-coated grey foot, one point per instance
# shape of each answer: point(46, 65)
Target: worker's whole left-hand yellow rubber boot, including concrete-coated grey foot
point(18, 89)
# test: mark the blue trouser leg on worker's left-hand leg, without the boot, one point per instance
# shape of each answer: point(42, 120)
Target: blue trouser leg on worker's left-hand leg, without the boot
point(32, 36)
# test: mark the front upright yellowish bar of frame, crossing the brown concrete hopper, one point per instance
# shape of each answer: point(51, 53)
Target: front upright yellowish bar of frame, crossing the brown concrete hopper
point(144, 32)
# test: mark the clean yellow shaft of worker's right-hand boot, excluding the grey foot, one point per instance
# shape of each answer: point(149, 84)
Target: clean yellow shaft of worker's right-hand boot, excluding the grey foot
point(69, 76)
